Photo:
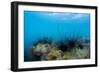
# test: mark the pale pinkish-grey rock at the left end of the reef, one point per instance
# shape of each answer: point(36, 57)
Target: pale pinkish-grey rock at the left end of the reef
point(41, 51)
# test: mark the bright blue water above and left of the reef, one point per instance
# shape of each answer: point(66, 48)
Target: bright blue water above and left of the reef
point(55, 25)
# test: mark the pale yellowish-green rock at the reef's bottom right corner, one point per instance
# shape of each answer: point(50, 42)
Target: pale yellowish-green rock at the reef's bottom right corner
point(77, 54)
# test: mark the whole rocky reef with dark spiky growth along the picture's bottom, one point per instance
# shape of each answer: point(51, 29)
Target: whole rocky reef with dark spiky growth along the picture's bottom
point(46, 49)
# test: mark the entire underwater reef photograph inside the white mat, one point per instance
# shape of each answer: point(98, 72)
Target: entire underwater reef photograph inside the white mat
point(56, 36)
